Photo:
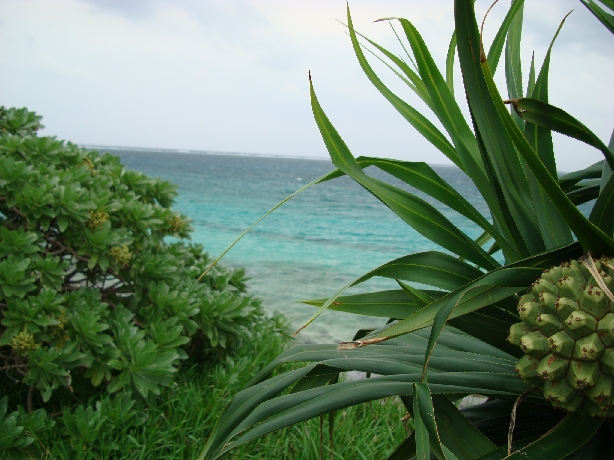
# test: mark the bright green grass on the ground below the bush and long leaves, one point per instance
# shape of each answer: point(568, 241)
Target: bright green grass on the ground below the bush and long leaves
point(181, 418)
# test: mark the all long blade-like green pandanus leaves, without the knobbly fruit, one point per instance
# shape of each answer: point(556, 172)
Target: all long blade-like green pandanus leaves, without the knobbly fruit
point(502, 162)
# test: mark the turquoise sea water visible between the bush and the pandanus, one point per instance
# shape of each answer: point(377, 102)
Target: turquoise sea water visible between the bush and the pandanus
point(311, 246)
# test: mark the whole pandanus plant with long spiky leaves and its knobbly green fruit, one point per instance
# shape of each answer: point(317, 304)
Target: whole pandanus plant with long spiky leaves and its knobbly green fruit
point(522, 315)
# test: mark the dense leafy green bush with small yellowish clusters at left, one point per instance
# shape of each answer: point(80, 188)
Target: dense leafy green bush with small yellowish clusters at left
point(96, 285)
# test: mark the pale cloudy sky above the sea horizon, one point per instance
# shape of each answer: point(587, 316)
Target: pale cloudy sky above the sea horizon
point(231, 75)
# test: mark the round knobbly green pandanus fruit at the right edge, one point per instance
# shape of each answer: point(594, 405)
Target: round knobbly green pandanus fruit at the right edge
point(567, 335)
